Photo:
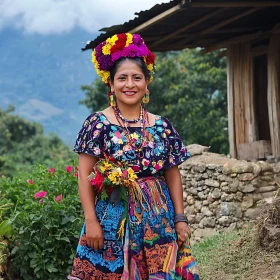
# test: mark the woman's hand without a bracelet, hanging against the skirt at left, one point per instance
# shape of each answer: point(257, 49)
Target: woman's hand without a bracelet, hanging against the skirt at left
point(94, 234)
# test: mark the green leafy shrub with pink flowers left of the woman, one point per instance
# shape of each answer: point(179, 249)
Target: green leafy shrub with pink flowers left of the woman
point(46, 218)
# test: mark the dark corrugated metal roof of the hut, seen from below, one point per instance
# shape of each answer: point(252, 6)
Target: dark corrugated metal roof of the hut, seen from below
point(198, 23)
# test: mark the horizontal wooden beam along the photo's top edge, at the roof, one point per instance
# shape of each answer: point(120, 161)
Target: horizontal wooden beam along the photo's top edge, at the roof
point(233, 4)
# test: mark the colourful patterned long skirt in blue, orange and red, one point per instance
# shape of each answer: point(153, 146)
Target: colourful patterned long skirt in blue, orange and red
point(148, 250)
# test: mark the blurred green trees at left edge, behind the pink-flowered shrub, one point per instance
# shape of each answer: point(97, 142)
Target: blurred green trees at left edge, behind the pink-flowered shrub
point(23, 143)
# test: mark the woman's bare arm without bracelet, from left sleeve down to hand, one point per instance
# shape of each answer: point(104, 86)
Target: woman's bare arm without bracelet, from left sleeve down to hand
point(94, 233)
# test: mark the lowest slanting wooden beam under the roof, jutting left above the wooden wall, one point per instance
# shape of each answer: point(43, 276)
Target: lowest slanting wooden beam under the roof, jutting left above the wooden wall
point(232, 41)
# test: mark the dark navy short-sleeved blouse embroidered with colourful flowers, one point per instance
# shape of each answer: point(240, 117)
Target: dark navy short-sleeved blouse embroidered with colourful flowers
point(162, 149)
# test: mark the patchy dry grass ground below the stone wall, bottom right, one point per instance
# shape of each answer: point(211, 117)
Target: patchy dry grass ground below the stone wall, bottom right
point(234, 256)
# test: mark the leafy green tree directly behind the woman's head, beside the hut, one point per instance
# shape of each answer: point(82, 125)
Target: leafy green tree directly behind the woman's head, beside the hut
point(190, 90)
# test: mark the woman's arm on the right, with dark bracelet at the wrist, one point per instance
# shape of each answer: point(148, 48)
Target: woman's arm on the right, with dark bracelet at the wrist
point(173, 179)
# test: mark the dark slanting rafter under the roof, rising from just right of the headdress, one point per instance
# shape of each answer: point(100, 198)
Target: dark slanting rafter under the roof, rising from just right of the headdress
point(187, 27)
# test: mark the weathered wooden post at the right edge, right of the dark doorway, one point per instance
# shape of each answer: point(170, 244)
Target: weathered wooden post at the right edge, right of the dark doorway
point(273, 92)
